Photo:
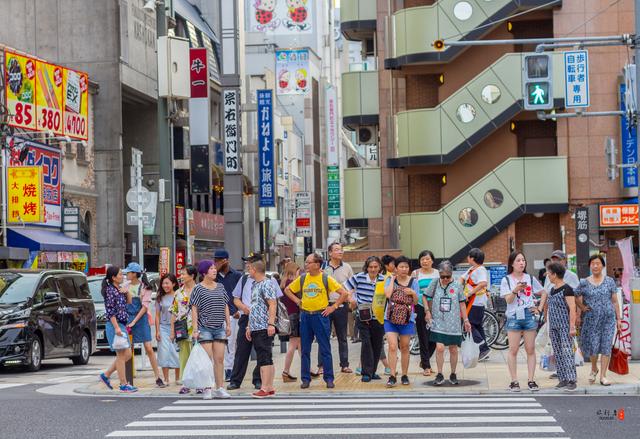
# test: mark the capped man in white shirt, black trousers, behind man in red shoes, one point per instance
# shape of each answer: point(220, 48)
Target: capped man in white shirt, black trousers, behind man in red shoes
point(242, 300)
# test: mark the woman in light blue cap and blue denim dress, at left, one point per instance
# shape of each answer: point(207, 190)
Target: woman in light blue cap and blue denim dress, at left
point(137, 308)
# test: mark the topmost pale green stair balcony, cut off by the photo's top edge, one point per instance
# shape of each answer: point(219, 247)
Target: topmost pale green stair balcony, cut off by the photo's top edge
point(415, 29)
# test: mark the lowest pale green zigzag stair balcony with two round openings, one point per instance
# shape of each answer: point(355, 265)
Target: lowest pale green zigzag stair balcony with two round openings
point(516, 187)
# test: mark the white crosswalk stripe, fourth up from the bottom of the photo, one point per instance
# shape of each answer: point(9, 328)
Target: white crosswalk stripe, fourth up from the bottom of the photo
point(235, 407)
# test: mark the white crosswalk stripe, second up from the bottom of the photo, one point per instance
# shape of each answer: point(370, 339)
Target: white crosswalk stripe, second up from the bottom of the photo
point(348, 421)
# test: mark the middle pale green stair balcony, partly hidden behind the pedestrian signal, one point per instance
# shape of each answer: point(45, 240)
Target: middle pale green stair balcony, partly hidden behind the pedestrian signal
point(443, 134)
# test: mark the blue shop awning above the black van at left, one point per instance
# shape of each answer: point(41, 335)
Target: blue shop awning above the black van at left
point(45, 240)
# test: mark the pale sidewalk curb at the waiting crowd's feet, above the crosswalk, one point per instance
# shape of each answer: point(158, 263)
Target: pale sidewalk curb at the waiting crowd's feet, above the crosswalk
point(613, 390)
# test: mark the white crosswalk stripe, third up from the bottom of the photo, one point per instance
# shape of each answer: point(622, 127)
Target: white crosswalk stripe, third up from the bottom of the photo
point(353, 412)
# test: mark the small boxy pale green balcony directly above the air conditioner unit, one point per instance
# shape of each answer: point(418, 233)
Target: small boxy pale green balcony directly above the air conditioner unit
point(359, 99)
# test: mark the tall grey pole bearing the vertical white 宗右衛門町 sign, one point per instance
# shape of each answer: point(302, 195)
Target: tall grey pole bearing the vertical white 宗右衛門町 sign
point(231, 118)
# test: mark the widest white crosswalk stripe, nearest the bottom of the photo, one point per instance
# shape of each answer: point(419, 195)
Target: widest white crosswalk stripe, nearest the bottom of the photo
point(345, 431)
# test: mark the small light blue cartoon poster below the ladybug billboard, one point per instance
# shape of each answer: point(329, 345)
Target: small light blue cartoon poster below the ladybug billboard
point(292, 71)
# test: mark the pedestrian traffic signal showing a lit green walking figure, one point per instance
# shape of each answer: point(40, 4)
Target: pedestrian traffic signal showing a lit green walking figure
point(537, 74)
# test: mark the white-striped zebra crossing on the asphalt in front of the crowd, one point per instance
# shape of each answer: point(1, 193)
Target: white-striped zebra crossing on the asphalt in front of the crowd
point(421, 416)
